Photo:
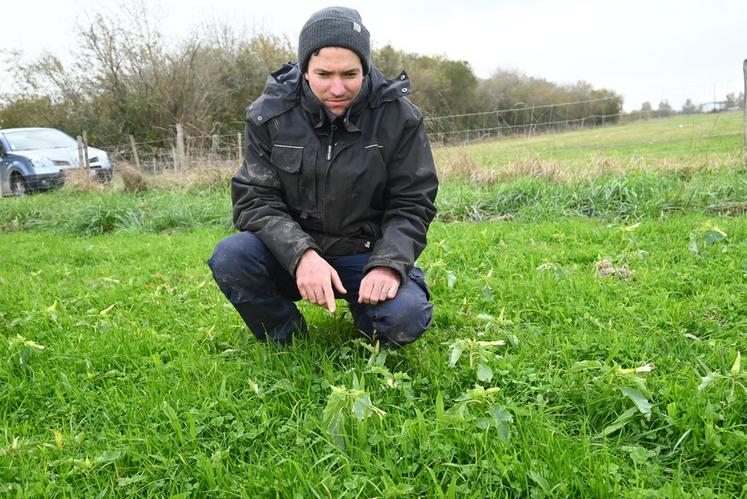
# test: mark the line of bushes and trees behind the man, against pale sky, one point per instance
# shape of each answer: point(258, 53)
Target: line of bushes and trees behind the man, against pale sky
point(126, 80)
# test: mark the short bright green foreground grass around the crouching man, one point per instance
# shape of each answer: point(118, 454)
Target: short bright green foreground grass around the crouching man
point(149, 379)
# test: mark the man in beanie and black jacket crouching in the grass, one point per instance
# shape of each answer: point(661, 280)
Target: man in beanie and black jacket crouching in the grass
point(335, 195)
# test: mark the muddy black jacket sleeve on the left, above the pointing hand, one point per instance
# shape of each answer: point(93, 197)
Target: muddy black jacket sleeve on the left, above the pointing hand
point(259, 204)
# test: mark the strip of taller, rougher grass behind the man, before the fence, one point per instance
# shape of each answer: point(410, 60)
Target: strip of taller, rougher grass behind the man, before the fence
point(612, 197)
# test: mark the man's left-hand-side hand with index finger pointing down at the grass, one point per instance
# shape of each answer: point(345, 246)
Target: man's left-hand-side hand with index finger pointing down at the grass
point(315, 278)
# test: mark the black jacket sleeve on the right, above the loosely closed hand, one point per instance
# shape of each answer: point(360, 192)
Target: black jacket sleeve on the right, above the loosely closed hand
point(410, 193)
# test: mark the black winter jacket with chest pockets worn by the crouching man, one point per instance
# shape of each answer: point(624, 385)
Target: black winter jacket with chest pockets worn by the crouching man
point(364, 181)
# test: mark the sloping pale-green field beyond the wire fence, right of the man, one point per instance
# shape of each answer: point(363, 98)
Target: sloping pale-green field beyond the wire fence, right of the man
point(681, 143)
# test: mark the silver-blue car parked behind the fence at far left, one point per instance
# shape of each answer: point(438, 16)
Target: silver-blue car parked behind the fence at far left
point(34, 159)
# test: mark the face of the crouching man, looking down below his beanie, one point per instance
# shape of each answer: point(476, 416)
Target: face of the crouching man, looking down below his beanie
point(335, 76)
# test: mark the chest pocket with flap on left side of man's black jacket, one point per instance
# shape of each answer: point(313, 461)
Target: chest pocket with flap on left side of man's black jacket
point(297, 190)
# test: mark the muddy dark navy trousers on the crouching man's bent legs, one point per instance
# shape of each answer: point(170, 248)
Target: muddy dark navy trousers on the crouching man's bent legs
point(264, 293)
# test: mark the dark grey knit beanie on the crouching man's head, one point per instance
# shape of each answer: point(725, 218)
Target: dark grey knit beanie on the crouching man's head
point(334, 27)
